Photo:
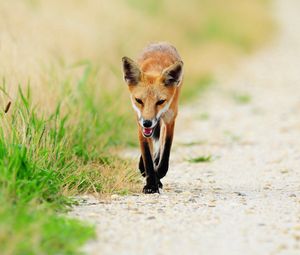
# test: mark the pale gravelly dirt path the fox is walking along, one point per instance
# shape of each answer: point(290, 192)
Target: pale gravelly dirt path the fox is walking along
point(247, 199)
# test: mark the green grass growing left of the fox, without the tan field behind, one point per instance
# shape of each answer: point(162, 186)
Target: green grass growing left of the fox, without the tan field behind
point(43, 160)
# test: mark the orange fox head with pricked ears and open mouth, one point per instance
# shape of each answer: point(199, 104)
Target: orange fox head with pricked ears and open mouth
point(151, 93)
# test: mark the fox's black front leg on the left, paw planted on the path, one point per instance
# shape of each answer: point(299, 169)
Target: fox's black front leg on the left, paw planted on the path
point(151, 178)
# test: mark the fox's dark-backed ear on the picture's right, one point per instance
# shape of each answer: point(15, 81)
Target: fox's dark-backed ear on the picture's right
point(172, 75)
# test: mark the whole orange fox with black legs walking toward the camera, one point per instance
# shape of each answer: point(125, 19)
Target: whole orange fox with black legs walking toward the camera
point(154, 81)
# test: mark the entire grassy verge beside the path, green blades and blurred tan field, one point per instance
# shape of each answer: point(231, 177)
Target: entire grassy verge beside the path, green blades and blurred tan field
point(60, 135)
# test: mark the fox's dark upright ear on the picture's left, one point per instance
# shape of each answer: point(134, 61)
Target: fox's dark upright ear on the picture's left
point(131, 71)
